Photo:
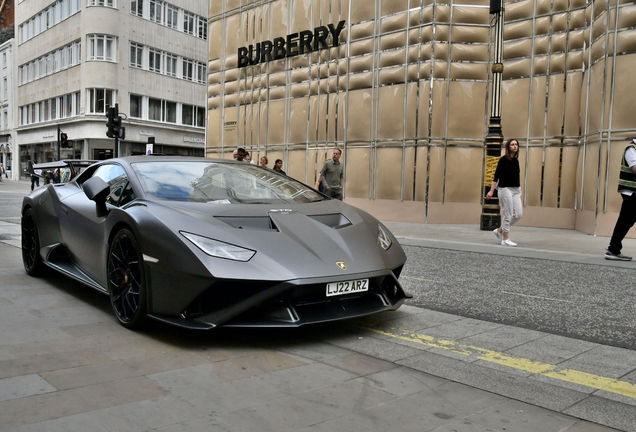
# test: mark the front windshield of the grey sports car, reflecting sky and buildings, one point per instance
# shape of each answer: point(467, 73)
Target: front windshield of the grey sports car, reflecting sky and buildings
point(224, 183)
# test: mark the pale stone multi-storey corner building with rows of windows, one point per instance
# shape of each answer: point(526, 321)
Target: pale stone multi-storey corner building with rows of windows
point(75, 59)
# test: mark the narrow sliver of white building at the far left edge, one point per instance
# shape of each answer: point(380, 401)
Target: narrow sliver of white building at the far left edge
point(7, 108)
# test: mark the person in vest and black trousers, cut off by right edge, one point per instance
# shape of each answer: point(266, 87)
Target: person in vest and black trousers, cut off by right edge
point(627, 214)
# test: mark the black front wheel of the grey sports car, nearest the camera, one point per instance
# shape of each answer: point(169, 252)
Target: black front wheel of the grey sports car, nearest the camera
point(126, 280)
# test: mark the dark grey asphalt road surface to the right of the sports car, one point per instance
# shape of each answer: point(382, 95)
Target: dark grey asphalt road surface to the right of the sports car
point(588, 302)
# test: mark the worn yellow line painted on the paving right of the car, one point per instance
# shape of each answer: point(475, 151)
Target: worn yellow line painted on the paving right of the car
point(531, 366)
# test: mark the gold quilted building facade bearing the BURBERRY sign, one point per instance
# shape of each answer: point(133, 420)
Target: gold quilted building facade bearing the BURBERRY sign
point(405, 95)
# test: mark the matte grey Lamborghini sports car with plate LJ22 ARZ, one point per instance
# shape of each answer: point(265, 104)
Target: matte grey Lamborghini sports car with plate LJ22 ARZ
point(201, 243)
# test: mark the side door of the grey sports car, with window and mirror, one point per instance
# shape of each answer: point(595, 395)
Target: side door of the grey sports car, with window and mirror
point(84, 231)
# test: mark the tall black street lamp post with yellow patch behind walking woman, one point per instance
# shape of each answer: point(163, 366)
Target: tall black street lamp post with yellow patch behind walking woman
point(490, 211)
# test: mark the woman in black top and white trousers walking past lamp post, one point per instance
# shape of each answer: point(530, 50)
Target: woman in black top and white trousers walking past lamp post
point(508, 184)
